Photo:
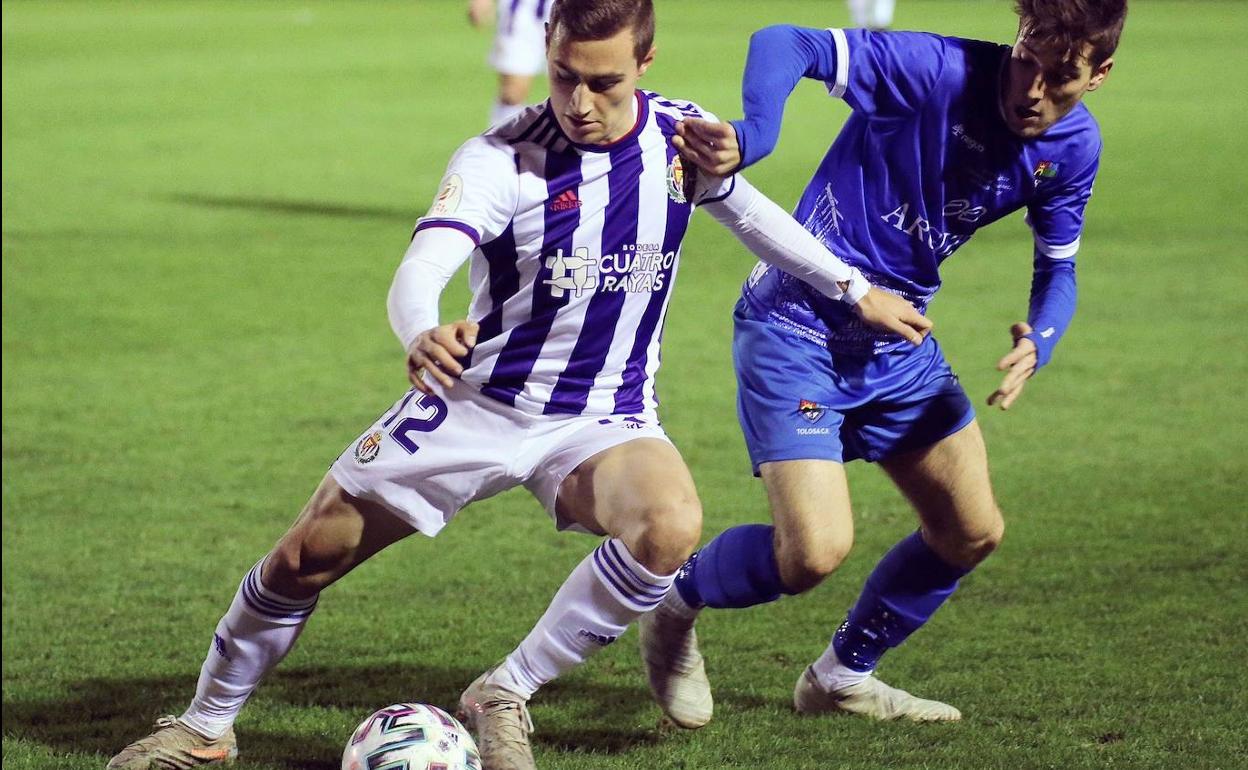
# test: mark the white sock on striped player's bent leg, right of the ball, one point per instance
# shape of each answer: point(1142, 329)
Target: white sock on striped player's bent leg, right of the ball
point(607, 592)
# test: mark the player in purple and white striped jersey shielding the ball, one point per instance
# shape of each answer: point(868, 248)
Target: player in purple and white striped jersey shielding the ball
point(573, 215)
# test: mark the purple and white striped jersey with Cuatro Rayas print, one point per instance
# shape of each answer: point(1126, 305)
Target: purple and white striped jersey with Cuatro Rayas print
point(578, 249)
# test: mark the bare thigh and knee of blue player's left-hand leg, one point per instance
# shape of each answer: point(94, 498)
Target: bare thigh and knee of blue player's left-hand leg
point(814, 524)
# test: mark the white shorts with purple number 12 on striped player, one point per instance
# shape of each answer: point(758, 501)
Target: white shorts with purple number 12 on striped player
point(430, 456)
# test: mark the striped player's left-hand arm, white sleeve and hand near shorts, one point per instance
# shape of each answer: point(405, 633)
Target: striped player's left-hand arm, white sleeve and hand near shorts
point(432, 259)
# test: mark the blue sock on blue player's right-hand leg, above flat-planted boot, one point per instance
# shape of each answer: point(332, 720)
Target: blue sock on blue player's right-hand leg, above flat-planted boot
point(905, 590)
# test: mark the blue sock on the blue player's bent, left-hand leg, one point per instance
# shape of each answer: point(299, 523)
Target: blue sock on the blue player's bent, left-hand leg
point(736, 570)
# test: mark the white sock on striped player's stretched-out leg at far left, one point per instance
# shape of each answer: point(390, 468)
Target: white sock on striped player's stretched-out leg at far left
point(254, 636)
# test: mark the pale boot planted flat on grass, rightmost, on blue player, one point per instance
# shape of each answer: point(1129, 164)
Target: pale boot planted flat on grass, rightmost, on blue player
point(868, 698)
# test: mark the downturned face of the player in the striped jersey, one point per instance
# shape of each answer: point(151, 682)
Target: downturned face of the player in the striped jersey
point(592, 85)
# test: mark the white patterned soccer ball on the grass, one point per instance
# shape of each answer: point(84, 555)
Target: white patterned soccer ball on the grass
point(411, 737)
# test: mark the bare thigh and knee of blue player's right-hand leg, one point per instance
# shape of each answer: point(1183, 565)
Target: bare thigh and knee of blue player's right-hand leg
point(949, 486)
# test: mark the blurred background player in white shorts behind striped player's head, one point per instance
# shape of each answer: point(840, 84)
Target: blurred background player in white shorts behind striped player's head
point(520, 49)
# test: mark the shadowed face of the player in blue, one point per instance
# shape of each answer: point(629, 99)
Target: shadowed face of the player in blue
point(1043, 87)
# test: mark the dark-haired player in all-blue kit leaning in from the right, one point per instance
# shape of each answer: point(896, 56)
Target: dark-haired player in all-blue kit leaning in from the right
point(945, 138)
